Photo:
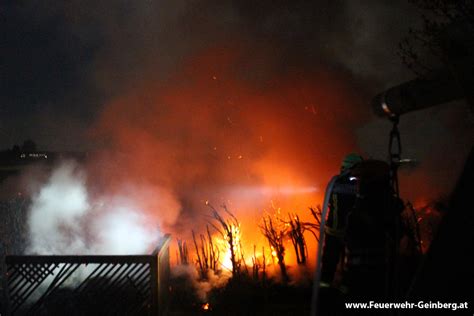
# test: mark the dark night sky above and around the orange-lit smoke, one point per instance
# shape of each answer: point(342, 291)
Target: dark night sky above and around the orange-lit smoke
point(60, 61)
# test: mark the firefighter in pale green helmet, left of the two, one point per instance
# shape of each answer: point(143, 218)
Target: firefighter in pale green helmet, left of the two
point(341, 203)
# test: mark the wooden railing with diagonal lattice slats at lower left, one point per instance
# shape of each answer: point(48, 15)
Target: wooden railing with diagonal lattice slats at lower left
point(87, 285)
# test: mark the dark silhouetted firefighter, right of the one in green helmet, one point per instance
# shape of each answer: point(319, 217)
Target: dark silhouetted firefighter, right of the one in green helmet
point(372, 233)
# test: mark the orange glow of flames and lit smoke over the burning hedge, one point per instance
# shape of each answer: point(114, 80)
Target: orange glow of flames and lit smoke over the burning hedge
point(227, 130)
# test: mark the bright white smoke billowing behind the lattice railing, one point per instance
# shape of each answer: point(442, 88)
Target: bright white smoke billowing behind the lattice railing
point(65, 219)
